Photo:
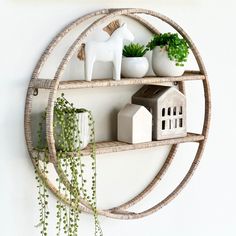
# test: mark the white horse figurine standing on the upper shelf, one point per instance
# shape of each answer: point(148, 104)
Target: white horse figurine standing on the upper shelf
point(107, 51)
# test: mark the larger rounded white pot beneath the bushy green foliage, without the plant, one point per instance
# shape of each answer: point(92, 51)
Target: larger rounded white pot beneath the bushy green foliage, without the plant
point(162, 65)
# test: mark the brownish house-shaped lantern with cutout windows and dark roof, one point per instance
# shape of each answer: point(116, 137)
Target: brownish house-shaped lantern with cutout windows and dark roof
point(168, 108)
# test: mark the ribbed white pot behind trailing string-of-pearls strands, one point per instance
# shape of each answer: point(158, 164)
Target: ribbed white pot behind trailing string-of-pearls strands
point(83, 127)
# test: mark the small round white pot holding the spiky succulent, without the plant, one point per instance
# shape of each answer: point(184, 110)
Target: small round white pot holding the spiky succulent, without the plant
point(134, 67)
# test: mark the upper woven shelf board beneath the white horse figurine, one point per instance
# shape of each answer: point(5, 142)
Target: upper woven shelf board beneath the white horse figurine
point(74, 84)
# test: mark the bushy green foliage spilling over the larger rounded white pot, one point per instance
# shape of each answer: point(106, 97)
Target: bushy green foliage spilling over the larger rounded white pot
point(177, 48)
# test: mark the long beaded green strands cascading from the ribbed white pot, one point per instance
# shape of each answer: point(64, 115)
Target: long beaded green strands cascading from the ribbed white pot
point(70, 162)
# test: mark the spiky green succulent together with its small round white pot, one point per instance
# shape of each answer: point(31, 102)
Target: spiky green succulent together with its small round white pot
point(134, 64)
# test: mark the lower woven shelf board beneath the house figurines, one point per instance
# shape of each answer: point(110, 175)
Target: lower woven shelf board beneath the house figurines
point(116, 146)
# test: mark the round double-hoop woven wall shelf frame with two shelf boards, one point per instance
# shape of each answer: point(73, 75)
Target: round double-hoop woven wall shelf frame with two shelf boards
point(53, 85)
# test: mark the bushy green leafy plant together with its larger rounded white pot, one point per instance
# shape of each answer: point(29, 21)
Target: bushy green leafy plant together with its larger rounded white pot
point(170, 52)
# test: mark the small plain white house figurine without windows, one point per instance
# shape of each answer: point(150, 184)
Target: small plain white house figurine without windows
point(134, 124)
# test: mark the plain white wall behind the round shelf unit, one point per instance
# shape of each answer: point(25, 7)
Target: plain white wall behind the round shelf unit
point(206, 206)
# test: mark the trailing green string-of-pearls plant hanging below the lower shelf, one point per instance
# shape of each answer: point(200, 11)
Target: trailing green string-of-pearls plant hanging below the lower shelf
point(69, 143)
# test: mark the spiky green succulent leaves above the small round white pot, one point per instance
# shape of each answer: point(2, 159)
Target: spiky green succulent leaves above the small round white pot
point(134, 50)
